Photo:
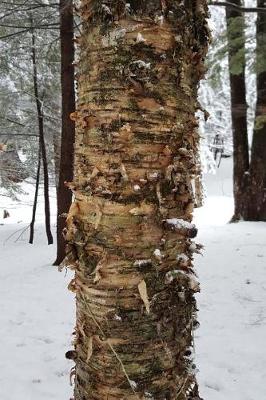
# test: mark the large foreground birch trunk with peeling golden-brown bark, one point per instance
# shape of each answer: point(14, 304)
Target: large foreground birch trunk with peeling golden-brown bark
point(129, 228)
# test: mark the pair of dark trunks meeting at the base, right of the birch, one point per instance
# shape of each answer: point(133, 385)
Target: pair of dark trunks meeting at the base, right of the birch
point(249, 164)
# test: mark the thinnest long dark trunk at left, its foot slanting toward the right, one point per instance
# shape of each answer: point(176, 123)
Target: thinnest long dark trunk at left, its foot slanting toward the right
point(42, 141)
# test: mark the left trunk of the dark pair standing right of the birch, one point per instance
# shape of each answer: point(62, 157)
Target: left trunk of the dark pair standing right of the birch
point(236, 45)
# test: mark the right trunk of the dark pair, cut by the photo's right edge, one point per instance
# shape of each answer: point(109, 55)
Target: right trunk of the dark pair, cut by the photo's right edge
point(256, 204)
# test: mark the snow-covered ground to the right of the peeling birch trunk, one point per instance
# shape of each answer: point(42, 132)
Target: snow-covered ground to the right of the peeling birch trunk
point(230, 344)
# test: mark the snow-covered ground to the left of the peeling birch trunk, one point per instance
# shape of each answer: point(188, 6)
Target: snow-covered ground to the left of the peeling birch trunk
point(36, 309)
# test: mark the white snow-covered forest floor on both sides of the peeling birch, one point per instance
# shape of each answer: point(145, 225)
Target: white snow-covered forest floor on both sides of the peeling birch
point(37, 311)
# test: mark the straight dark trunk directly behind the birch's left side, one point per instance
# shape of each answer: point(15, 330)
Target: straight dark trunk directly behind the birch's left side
point(64, 195)
